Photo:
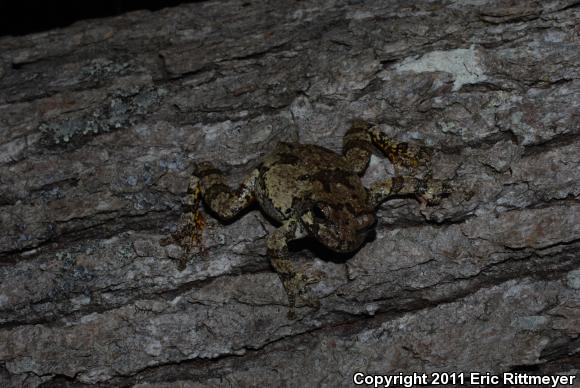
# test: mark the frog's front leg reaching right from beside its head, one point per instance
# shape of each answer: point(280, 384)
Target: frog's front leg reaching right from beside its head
point(428, 191)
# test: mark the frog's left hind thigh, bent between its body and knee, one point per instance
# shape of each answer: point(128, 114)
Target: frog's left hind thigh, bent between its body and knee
point(219, 197)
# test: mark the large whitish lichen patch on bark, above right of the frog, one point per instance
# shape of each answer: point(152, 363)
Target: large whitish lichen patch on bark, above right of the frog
point(464, 64)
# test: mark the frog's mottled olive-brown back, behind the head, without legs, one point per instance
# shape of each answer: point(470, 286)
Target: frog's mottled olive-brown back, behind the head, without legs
point(294, 176)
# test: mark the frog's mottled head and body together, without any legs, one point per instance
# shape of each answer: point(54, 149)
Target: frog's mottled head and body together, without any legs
point(317, 188)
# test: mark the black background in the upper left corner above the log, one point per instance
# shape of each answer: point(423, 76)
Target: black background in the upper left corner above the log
point(25, 17)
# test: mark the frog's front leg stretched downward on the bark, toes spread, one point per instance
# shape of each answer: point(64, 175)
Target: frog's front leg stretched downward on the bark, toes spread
point(293, 280)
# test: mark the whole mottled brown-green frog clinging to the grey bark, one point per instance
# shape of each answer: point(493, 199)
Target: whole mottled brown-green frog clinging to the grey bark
point(309, 191)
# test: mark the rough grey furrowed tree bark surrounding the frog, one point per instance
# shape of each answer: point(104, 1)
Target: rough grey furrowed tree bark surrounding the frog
point(100, 123)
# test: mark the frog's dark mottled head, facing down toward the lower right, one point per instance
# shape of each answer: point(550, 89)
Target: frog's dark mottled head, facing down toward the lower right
point(338, 227)
